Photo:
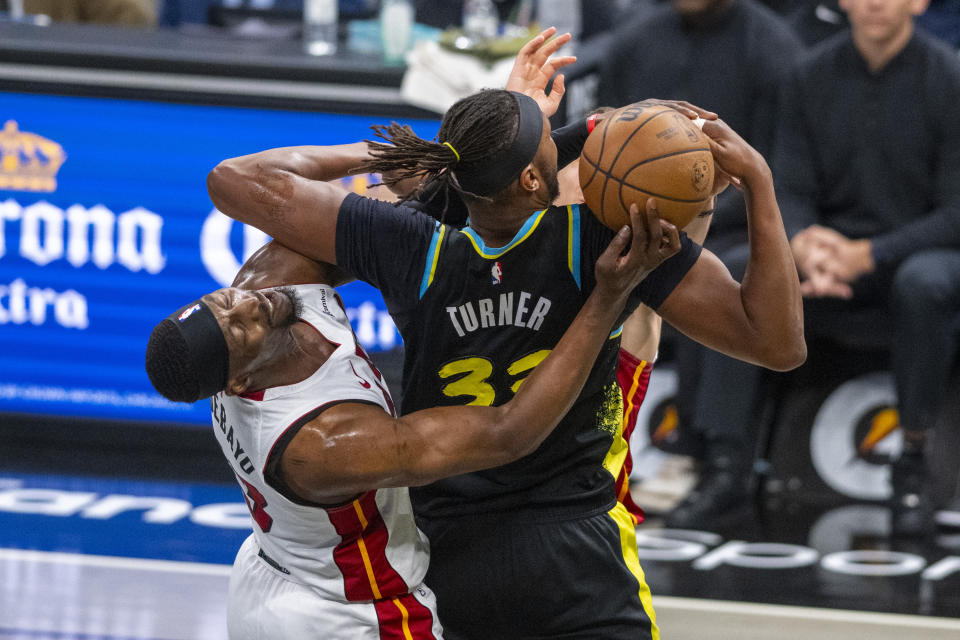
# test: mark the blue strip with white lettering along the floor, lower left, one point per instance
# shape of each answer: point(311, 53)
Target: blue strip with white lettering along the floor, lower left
point(123, 517)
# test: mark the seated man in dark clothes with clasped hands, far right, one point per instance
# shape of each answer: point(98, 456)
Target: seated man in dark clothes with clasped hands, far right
point(867, 165)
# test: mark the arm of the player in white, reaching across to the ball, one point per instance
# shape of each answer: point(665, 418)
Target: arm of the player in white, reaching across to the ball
point(352, 448)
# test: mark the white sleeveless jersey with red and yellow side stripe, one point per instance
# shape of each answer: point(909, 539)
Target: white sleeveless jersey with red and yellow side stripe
point(368, 550)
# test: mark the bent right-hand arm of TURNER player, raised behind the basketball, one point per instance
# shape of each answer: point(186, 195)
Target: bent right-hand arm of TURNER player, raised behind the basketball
point(761, 320)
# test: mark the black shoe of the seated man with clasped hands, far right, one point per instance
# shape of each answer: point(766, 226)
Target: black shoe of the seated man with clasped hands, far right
point(911, 508)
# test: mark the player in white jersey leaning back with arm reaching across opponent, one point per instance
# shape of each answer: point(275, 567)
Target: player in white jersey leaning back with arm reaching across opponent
point(310, 431)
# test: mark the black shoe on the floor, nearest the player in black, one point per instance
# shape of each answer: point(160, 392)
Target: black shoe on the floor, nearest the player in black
point(722, 490)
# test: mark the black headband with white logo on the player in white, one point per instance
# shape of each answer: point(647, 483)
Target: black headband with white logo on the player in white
point(206, 346)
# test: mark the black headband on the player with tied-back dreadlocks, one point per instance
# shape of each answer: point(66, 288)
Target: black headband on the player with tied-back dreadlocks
point(500, 169)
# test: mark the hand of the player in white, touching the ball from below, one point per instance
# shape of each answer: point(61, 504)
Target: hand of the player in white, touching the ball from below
point(651, 241)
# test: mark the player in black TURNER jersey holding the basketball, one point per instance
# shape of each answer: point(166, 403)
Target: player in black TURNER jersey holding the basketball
point(539, 547)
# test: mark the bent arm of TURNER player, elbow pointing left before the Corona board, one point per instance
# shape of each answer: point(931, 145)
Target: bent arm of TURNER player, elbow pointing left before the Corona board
point(285, 192)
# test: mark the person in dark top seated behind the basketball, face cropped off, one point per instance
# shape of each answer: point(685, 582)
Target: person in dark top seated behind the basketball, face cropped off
point(730, 56)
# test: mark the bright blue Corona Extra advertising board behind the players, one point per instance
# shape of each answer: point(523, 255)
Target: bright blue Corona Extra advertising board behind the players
point(106, 227)
